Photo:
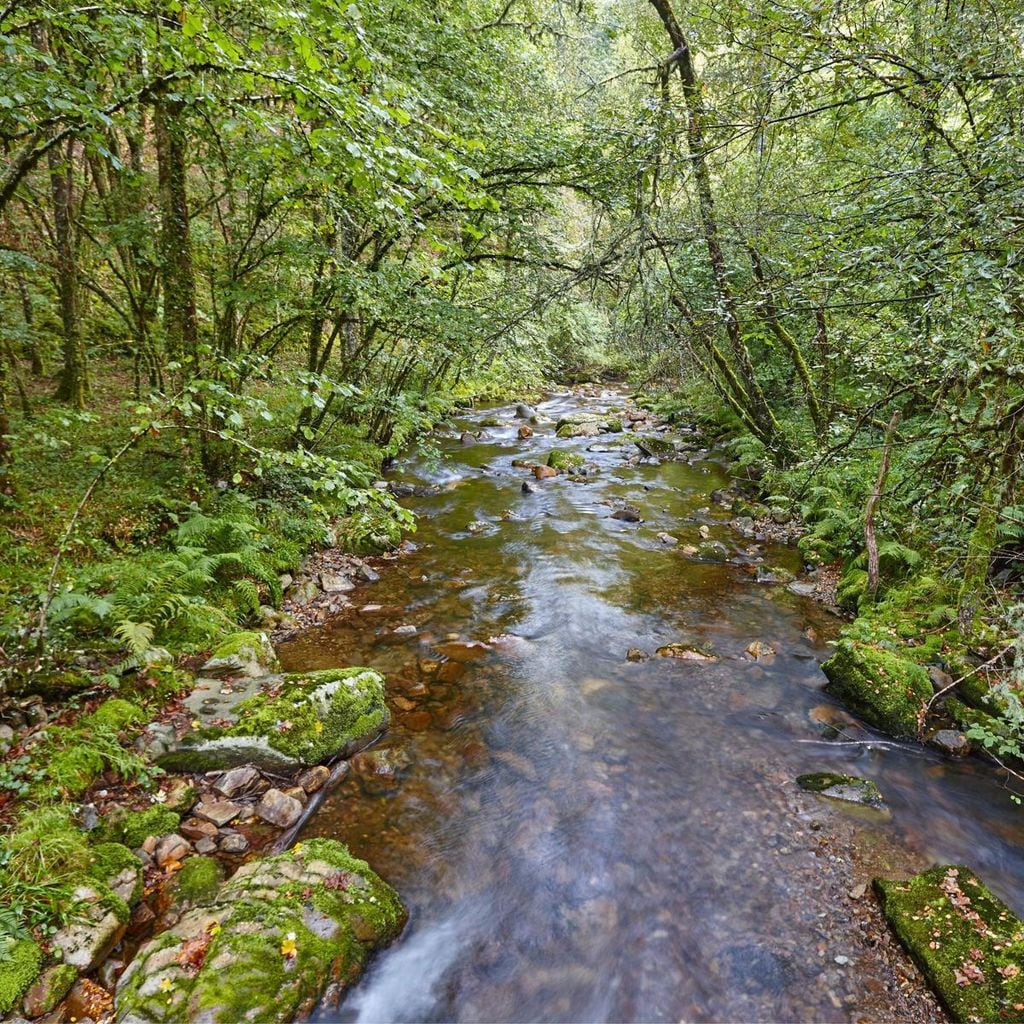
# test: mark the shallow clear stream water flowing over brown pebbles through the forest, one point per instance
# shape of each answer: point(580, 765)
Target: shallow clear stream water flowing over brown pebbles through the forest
point(580, 837)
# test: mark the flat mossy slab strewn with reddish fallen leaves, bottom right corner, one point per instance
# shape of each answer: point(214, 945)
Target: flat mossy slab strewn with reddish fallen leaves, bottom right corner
point(967, 943)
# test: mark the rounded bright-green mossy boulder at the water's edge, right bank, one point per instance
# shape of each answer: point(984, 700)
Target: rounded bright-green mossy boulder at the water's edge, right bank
point(886, 691)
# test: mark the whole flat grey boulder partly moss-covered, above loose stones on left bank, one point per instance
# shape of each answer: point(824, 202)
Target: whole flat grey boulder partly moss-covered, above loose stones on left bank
point(303, 719)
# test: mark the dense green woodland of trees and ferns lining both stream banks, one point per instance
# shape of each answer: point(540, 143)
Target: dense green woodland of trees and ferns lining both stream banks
point(249, 251)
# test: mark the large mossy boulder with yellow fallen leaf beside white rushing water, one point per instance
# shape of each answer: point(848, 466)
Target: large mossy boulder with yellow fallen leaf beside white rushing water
point(270, 944)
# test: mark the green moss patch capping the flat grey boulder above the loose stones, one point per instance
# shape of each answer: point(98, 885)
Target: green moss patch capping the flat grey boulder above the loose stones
point(327, 711)
